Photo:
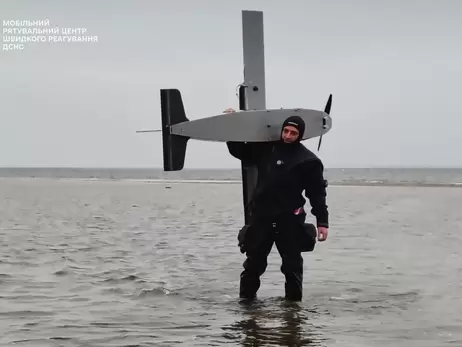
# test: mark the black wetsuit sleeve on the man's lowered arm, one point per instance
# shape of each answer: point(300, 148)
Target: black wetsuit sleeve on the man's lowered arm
point(315, 190)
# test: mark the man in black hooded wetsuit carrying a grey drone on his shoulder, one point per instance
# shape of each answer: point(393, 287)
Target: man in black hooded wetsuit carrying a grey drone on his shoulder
point(286, 168)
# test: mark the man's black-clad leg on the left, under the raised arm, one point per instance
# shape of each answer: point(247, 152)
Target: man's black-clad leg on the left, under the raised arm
point(255, 263)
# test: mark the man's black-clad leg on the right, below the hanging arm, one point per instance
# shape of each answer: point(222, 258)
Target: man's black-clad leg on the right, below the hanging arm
point(292, 260)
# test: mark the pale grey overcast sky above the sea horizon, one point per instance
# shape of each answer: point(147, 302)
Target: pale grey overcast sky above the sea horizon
point(394, 69)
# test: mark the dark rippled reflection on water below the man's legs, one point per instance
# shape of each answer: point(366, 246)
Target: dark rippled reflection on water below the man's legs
point(274, 323)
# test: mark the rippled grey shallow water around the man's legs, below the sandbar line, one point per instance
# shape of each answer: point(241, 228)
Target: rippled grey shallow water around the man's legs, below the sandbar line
point(91, 263)
